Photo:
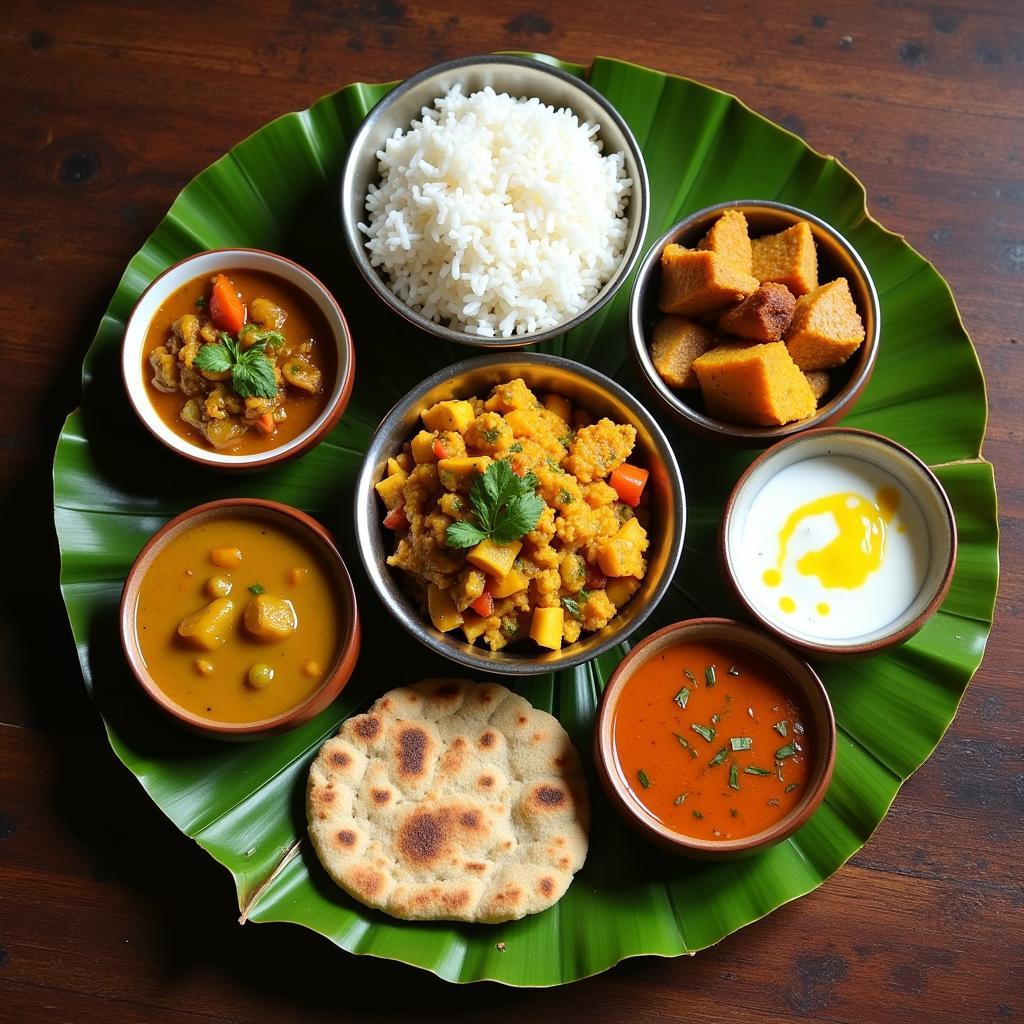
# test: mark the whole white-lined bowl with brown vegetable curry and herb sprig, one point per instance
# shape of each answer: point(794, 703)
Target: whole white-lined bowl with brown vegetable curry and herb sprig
point(238, 359)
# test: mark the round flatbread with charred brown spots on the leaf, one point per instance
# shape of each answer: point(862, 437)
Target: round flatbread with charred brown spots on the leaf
point(450, 801)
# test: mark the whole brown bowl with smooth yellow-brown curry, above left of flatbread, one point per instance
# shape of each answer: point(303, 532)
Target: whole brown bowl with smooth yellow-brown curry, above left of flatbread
point(239, 619)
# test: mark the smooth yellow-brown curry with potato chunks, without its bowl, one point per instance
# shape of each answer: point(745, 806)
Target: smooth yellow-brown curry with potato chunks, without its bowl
point(237, 620)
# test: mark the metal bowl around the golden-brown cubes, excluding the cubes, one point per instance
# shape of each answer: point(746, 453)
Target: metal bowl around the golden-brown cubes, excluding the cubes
point(836, 259)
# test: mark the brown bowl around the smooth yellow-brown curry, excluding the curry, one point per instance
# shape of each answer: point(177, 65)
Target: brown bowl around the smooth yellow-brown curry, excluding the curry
point(283, 517)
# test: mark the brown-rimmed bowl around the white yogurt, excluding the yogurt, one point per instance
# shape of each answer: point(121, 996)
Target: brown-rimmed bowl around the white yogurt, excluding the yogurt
point(924, 488)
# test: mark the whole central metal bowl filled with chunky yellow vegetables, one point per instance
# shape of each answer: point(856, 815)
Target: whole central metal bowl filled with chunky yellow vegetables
point(521, 514)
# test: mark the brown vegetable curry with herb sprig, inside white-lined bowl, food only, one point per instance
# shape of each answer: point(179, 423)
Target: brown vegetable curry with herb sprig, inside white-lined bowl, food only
point(241, 363)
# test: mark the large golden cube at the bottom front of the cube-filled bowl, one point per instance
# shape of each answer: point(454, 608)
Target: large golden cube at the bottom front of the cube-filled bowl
point(754, 385)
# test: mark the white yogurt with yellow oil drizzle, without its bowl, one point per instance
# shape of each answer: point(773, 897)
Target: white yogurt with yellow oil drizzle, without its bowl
point(833, 548)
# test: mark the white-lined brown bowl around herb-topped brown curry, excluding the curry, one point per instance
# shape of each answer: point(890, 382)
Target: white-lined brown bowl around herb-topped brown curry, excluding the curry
point(224, 262)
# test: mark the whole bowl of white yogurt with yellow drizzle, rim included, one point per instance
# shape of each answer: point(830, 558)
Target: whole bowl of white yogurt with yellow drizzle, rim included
point(840, 542)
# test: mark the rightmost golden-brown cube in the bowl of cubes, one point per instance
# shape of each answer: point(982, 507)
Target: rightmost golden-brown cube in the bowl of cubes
point(826, 329)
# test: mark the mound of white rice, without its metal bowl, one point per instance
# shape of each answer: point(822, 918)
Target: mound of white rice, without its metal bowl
point(497, 216)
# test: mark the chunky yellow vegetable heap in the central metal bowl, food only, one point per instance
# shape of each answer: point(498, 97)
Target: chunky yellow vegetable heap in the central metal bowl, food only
point(518, 518)
